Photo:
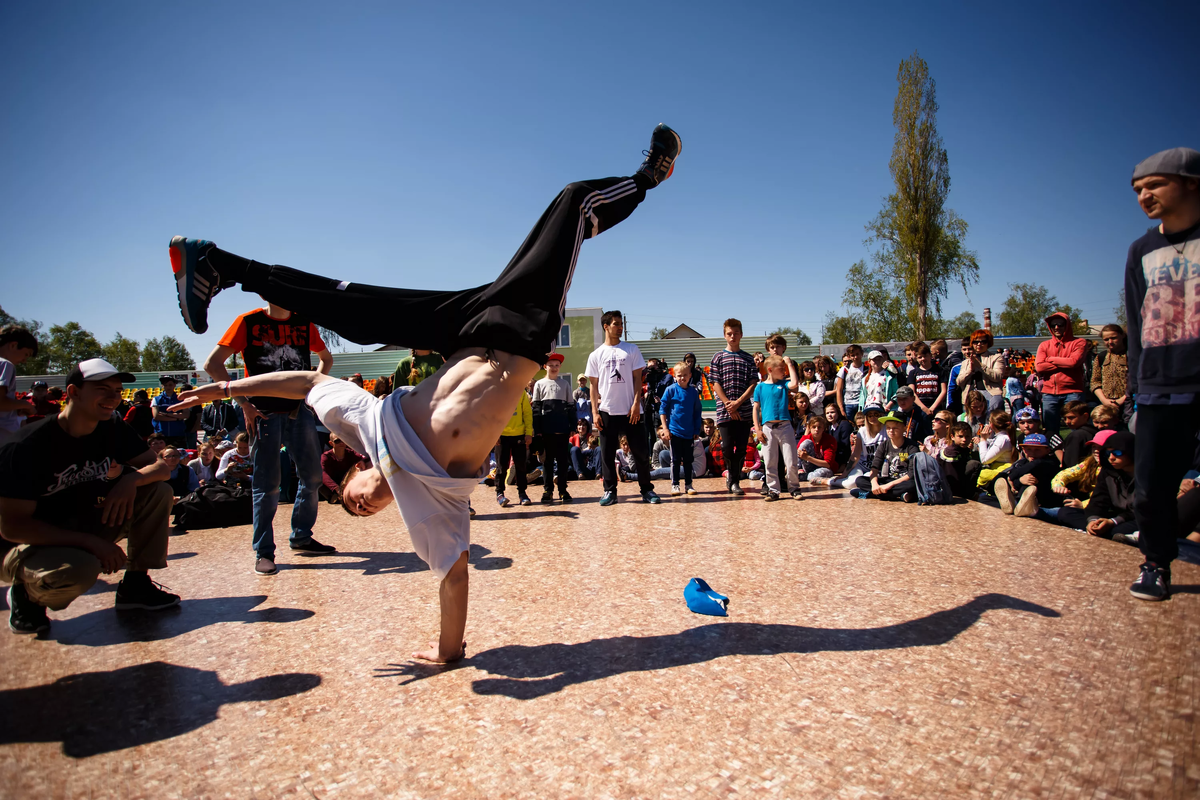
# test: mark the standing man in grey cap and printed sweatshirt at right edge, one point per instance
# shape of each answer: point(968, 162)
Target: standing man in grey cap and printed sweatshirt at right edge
point(1162, 280)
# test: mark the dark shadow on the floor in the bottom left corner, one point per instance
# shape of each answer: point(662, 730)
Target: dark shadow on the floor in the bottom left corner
point(101, 712)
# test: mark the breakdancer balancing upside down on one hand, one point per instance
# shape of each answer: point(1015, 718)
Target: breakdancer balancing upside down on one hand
point(427, 443)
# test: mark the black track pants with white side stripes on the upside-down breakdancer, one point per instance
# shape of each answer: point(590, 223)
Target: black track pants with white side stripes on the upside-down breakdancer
point(521, 312)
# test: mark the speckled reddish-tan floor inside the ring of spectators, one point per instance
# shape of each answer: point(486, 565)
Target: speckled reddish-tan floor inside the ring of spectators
point(872, 651)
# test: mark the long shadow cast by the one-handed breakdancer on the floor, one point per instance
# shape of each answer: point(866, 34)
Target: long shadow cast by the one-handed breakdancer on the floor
point(537, 671)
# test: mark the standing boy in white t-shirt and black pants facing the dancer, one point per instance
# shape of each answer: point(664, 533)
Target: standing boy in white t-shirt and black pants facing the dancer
point(615, 371)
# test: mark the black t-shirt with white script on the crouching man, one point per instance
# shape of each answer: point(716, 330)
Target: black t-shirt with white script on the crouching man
point(64, 474)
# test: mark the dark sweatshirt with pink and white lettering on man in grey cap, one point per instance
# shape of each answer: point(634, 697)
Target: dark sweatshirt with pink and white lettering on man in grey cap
point(1165, 321)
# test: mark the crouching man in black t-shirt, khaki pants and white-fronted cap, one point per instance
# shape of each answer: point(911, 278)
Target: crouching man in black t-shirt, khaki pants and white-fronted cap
point(71, 488)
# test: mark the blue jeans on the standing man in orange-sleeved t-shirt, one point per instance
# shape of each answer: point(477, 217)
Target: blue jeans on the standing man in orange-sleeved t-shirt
point(301, 438)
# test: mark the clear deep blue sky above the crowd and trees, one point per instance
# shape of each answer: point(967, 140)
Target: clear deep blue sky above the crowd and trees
point(416, 145)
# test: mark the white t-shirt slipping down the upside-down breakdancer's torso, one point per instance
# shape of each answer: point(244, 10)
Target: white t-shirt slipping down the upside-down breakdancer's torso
point(433, 504)
